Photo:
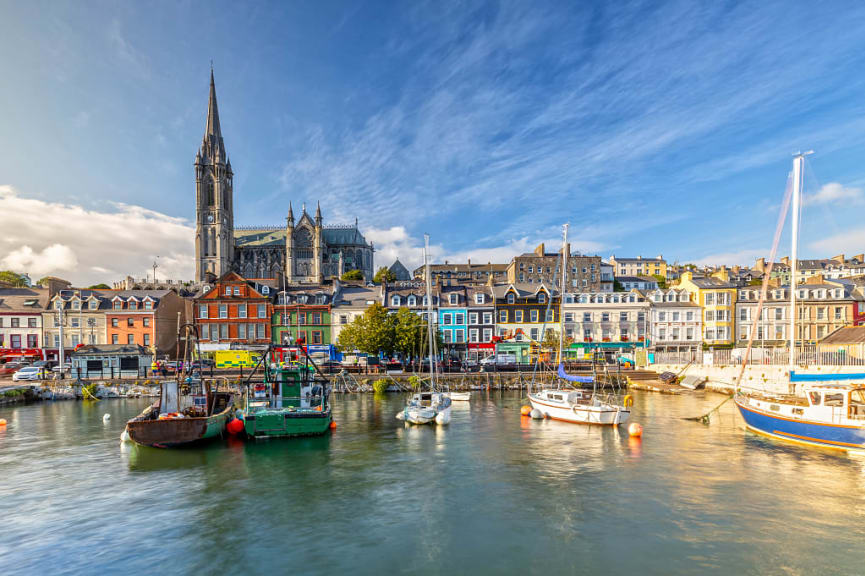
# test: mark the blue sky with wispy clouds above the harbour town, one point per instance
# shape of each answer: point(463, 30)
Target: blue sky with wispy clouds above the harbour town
point(650, 127)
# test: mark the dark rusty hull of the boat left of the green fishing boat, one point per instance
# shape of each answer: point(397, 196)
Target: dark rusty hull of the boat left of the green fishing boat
point(174, 432)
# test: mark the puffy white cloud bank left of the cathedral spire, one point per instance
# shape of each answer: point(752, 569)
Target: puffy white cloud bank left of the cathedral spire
point(87, 246)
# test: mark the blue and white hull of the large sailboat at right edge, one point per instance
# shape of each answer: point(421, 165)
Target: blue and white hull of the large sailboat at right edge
point(761, 420)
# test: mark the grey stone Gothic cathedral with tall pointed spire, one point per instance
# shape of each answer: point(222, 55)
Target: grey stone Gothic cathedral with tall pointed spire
point(303, 252)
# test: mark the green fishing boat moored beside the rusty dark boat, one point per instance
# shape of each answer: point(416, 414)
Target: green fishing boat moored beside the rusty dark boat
point(290, 401)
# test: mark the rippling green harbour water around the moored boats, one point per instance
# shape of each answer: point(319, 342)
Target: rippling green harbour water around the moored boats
point(491, 493)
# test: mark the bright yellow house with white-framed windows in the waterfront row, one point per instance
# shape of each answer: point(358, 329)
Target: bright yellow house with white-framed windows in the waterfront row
point(716, 295)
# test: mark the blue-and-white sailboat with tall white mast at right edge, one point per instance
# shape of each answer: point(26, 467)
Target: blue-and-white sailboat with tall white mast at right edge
point(831, 411)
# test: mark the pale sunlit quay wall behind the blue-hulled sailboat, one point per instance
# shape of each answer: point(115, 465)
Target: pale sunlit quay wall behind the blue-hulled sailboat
point(773, 379)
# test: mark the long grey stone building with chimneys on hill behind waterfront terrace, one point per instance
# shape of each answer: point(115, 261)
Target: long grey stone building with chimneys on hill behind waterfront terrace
point(584, 272)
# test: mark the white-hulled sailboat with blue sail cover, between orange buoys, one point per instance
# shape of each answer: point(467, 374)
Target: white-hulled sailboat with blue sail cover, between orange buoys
point(577, 405)
